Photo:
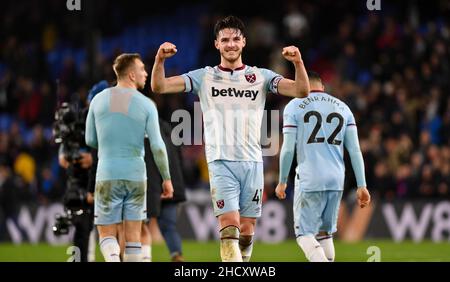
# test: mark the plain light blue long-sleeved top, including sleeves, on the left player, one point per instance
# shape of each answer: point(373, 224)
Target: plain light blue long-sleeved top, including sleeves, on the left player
point(117, 121)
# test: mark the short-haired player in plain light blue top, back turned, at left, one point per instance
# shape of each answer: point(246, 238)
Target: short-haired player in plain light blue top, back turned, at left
point(117, 121)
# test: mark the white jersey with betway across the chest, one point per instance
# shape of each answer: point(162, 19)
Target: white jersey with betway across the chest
point(232, 103)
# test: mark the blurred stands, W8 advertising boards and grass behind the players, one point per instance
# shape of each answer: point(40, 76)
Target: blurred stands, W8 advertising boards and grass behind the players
point(392, 67)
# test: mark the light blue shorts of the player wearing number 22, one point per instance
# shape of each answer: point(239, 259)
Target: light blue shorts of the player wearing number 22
point(315, 211)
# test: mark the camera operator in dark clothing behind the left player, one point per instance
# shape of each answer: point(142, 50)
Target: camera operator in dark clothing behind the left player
point(75, 157)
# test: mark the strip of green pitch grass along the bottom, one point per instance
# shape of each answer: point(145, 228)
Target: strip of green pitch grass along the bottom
point(287, 251)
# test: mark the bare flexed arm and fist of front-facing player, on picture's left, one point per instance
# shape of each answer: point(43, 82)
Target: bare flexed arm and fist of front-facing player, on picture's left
point(160, 83)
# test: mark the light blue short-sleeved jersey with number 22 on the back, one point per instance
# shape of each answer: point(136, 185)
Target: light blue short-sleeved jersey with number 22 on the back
point(321, 121)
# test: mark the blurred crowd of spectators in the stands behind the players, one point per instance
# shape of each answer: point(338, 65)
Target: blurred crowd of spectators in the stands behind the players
point(392, 68)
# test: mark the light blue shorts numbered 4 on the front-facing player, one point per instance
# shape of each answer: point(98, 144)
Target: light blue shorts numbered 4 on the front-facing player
point(236, 186)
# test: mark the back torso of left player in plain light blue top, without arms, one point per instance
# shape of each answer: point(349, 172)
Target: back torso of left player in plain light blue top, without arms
point(120, 119)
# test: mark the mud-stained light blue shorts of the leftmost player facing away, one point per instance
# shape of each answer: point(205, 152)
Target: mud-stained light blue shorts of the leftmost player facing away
point(118, 200)
